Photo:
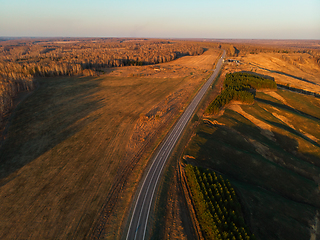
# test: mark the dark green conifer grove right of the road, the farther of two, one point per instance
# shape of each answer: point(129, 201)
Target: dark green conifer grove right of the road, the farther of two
point(237, 87)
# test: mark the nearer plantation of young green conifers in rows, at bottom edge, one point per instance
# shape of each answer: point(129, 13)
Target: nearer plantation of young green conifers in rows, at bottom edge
point(217, 208)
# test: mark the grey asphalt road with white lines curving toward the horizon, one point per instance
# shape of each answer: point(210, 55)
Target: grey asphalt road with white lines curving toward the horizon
point(139, 219)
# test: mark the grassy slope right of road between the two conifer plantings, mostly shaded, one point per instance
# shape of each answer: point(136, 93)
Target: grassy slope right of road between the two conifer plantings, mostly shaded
point(270, 151)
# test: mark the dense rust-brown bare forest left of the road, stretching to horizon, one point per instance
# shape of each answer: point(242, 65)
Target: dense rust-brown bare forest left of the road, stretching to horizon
point(21, 60)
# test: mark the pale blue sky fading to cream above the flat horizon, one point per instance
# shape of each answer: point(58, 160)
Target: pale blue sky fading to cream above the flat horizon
point(249, 19)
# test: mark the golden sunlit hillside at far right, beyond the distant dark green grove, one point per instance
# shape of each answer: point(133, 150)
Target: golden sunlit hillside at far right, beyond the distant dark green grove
point(296, 66)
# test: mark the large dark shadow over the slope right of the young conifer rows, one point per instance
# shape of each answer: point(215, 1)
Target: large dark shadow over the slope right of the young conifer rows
point(275, 183)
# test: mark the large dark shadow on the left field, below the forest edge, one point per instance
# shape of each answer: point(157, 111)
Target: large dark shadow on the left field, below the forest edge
point(57, 110)
